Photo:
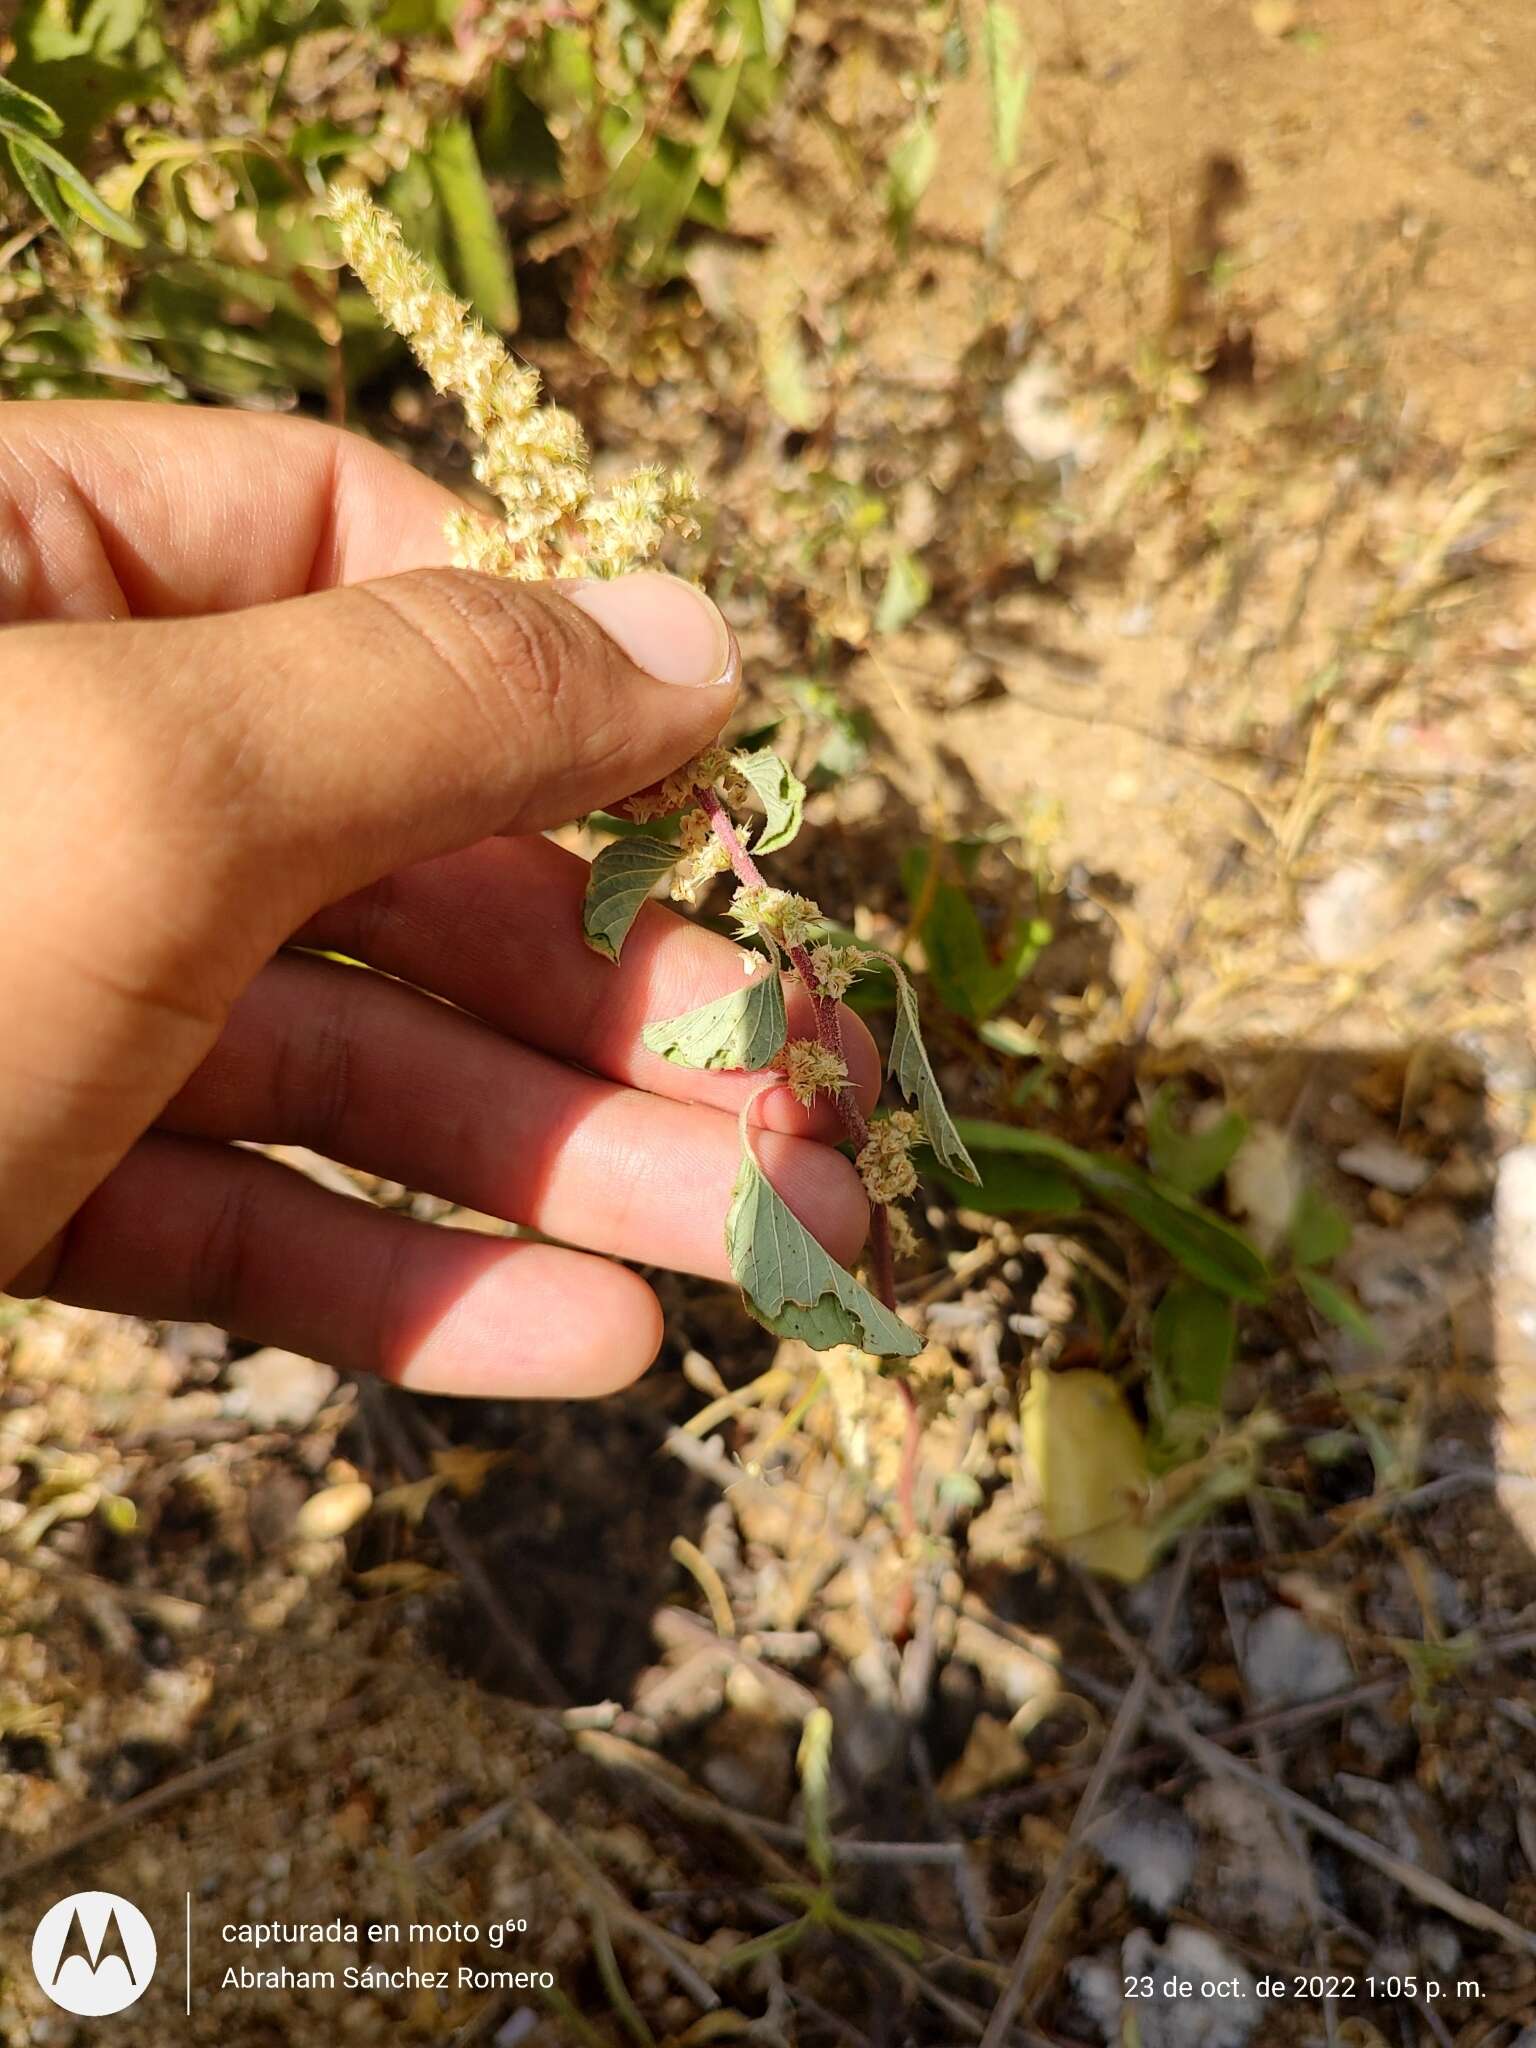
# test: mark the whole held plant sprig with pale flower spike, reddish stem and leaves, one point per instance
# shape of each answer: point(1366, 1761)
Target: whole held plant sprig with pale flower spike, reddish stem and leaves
point(534, 460)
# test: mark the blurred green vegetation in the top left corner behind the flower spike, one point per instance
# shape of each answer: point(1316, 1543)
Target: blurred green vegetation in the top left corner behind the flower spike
point(181, 151)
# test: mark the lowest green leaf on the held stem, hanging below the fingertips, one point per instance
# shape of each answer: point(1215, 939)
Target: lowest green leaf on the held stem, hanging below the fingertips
point(792, 1285)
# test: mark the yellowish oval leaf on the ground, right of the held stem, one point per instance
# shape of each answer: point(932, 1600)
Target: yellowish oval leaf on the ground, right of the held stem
point(1091, 1463)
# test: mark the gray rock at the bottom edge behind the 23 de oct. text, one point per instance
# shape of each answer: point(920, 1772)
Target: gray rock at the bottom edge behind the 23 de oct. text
point(1199, 1996)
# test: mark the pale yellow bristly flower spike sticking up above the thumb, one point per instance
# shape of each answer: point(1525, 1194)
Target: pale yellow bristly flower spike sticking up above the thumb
point(534, 458)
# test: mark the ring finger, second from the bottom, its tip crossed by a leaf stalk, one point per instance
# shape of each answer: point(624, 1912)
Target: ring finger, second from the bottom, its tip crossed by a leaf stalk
point(388, 1080)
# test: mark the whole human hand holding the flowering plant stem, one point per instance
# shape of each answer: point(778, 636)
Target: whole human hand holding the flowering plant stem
point(247, 706)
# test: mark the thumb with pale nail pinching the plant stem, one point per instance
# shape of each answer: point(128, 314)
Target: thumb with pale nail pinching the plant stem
point(366, 728)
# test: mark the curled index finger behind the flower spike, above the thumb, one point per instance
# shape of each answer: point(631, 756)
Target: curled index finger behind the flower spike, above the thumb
point(116, 509)
